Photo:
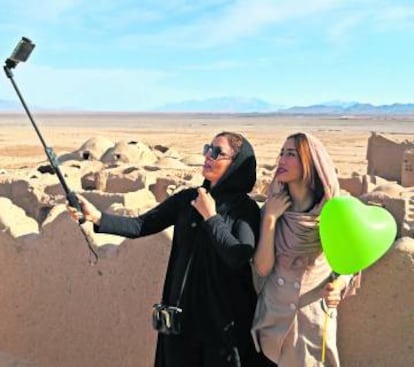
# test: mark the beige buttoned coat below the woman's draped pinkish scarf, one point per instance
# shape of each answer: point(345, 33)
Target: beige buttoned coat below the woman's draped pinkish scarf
point(289, 319)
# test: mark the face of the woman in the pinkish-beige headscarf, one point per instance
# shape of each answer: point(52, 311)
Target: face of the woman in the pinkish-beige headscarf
point(289, 168)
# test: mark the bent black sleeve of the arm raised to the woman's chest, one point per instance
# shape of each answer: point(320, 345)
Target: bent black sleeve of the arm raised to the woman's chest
point(235, 246)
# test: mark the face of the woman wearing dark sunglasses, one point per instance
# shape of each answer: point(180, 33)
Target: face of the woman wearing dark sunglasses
point(214, 169)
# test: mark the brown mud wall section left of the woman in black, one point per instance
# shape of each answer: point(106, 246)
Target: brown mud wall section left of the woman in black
point(57, 310)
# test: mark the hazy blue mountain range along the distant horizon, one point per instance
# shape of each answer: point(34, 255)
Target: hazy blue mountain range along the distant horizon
point(255, 105)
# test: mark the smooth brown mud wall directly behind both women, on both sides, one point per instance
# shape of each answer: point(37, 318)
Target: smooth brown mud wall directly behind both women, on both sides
point(60, 311)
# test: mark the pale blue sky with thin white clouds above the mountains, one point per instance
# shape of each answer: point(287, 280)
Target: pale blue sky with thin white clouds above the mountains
point(136, 55)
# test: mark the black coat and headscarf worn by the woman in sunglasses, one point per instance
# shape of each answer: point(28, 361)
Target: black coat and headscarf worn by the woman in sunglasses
point(219, 300)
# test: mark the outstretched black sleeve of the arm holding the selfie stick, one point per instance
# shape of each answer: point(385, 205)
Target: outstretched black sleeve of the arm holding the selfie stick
point(153, 221)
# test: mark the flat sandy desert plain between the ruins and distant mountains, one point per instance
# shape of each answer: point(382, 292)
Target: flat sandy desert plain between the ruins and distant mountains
point(345, 138)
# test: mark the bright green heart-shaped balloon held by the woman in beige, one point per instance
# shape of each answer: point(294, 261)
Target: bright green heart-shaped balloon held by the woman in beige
point(354, 235)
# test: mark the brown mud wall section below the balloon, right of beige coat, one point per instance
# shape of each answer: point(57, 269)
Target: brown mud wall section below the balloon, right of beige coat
point(375, 326)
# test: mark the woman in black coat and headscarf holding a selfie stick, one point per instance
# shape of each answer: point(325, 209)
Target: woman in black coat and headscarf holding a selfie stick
point(216, 226)
